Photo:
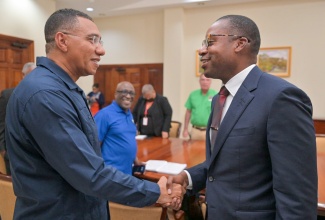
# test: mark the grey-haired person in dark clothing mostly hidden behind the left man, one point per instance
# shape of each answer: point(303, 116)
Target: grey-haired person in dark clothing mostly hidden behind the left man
point(4, 98)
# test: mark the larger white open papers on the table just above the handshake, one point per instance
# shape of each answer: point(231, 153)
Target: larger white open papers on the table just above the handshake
point(162, 166)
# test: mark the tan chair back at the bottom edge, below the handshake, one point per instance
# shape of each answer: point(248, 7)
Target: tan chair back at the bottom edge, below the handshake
point(122, 212)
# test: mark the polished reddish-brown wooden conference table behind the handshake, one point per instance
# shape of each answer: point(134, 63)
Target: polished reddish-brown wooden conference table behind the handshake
point(192, 152)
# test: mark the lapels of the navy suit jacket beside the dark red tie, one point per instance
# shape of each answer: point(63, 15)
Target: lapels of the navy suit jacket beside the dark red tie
point(238, 105)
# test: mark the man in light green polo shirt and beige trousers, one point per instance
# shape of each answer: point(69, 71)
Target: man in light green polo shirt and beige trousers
point(198, 109)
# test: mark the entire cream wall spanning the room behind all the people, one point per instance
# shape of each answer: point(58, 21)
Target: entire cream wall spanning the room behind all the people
point(146, 38)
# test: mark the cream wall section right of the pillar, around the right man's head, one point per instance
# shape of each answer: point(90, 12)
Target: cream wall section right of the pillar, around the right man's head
point(298, 24)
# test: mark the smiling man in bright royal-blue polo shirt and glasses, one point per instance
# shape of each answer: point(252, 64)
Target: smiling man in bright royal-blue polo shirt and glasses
point(117, 130)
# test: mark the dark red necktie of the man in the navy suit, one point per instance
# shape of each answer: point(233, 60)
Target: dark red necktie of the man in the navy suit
point(217, 113)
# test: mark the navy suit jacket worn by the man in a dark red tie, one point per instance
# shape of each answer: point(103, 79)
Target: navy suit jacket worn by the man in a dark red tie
point(263, 165)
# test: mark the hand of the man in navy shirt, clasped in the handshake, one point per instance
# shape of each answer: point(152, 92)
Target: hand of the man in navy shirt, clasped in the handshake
point(172, 199)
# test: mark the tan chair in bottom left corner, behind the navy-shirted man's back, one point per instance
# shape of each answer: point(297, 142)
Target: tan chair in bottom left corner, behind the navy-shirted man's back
point(8, 198)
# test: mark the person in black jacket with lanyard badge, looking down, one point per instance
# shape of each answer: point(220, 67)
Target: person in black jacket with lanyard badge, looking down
point(152, 113)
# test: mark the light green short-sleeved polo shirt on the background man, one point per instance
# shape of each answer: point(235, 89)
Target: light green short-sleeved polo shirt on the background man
point(200, 106)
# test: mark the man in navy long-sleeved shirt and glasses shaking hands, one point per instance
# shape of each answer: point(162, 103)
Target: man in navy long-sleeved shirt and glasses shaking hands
point(56, 163)
